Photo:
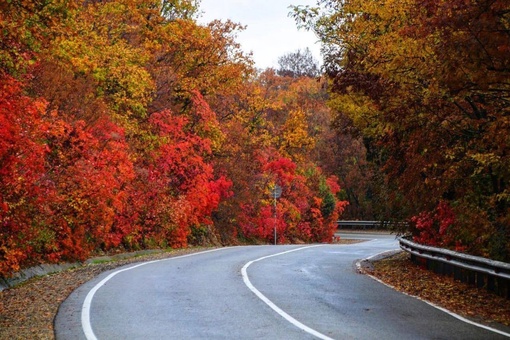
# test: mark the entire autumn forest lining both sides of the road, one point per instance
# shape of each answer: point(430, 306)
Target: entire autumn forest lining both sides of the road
point(126, 125)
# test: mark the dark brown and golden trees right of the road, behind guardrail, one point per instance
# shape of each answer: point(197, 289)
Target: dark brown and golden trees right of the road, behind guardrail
point(426, 84)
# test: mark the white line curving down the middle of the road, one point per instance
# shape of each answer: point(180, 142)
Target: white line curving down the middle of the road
point(268, 302)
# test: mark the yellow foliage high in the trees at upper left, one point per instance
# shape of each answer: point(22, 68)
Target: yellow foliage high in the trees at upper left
point(97, 48)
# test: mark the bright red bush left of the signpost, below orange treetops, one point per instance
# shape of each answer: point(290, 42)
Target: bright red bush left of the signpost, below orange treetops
point(178, 191)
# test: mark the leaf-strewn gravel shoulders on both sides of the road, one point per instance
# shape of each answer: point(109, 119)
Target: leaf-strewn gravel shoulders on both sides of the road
point(27, 311)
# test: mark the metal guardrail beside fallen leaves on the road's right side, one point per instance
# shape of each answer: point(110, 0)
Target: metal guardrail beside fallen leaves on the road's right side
point(479, 271)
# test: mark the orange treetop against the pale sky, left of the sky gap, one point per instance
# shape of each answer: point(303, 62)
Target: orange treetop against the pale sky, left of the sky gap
point(189, 57)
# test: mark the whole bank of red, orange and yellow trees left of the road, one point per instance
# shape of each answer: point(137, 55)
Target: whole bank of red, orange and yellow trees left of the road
point(125, 124)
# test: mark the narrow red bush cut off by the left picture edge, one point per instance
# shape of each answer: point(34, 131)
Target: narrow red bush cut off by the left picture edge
point(23, 191)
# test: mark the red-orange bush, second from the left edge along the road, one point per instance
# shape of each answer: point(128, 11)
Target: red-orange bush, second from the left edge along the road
point(90, 170)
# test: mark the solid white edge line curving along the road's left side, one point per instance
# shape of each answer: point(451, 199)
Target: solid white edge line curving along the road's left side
point(85, 311)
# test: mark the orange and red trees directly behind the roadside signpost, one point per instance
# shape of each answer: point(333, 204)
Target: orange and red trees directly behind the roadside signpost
point(272, 140)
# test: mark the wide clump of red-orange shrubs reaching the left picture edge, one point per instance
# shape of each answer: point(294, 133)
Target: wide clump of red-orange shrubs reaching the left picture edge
point(62, 185)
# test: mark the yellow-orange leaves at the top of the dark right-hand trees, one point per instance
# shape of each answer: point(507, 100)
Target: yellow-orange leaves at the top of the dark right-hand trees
point(385, 33)
